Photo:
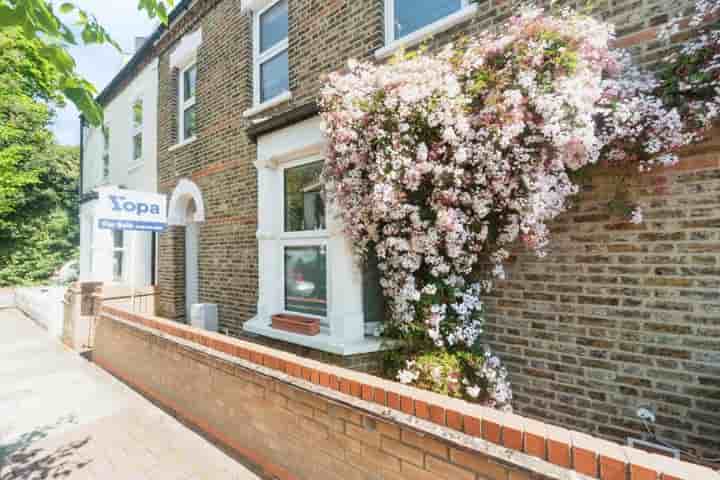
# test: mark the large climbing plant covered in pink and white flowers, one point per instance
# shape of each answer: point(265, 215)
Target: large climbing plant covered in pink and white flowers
point(440, 162)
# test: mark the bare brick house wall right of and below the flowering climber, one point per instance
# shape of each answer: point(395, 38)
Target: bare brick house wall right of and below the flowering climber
point(621, 316)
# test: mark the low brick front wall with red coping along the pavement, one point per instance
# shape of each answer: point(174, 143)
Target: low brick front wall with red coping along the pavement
point(300, 419)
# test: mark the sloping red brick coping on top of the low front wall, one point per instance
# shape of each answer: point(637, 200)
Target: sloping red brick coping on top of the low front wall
point(551, 451)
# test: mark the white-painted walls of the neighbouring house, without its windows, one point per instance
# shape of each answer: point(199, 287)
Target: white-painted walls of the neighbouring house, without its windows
point(96, 245)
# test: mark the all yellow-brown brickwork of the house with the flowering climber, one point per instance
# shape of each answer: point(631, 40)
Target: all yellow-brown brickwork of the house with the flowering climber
point(617, 317)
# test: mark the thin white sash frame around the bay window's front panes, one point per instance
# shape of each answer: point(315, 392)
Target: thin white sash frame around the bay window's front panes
point(303, 238)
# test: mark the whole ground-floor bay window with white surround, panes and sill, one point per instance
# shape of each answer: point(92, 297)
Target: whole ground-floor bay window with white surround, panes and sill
point(306, 265)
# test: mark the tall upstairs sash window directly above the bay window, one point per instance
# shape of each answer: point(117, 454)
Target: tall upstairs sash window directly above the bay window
point(271, 52)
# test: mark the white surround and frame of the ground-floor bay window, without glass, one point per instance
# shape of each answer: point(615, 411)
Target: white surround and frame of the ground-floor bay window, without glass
point(343, 330)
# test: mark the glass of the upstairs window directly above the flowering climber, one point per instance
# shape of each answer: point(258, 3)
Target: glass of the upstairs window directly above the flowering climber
point(408, 16)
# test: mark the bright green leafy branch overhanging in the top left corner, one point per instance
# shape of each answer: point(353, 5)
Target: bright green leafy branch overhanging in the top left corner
point(51, 26)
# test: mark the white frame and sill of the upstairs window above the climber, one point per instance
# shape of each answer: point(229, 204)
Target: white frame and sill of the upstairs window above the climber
point(467, 10)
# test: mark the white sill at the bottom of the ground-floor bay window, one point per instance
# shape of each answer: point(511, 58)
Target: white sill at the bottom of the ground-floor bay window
point(323, 341)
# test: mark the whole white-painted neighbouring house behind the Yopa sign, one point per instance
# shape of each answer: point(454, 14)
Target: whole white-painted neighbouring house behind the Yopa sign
point(121, 154)
